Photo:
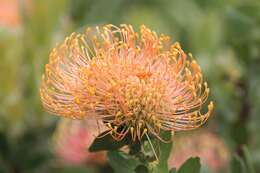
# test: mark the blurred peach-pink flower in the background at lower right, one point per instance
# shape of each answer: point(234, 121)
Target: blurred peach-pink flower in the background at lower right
point(206, 145)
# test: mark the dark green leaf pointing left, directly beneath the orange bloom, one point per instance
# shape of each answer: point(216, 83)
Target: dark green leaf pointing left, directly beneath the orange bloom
point(107, 143)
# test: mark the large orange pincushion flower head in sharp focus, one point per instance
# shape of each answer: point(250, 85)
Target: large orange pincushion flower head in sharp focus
point(134, 83)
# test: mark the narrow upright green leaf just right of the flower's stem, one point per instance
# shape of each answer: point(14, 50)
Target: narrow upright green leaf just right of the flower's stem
point(165, 150)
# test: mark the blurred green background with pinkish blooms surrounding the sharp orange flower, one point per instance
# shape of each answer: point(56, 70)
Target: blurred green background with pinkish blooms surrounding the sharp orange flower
point(223, 35)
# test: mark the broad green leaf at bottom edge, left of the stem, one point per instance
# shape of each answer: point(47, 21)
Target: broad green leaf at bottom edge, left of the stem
point(122, 162)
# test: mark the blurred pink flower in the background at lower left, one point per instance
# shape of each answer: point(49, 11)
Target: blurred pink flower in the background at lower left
point(72, 140)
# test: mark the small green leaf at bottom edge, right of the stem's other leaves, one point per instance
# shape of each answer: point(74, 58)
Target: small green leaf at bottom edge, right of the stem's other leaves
point(192, 165)
